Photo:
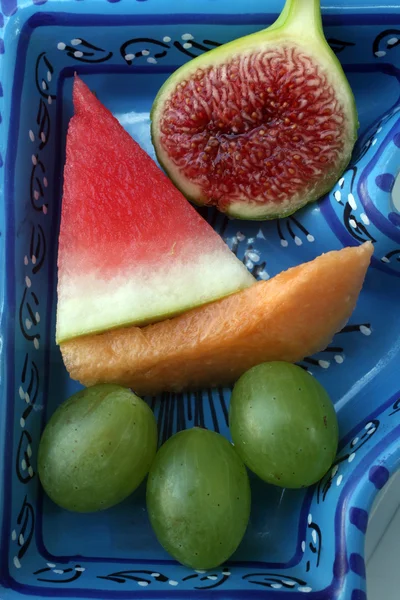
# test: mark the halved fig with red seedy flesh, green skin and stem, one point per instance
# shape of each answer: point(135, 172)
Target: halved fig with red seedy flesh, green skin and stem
point(260, 126)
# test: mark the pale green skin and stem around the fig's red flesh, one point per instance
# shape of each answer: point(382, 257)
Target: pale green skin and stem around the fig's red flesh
point(300, 23)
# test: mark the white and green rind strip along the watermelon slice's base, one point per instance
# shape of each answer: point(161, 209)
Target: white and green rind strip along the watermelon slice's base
point(89, 304)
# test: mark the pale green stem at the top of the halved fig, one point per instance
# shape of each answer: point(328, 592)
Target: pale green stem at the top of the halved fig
point(301, 16)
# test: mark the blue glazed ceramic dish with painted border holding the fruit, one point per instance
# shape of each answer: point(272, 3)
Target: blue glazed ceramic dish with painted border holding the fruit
point(298, 542)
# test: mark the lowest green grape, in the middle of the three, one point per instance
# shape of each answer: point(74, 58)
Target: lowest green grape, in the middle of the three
point(198, 498)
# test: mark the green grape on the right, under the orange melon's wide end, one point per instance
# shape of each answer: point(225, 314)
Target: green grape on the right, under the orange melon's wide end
point(283, 425)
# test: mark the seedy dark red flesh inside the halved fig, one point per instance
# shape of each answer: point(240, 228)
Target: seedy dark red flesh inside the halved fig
point(264, 126)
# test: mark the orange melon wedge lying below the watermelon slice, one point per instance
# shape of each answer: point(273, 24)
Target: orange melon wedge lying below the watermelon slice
point(291, 316)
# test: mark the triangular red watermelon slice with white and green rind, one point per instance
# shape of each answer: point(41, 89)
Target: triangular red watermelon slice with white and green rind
point(132, 250)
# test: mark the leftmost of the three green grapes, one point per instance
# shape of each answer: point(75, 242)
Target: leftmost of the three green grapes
point(97, 448)
